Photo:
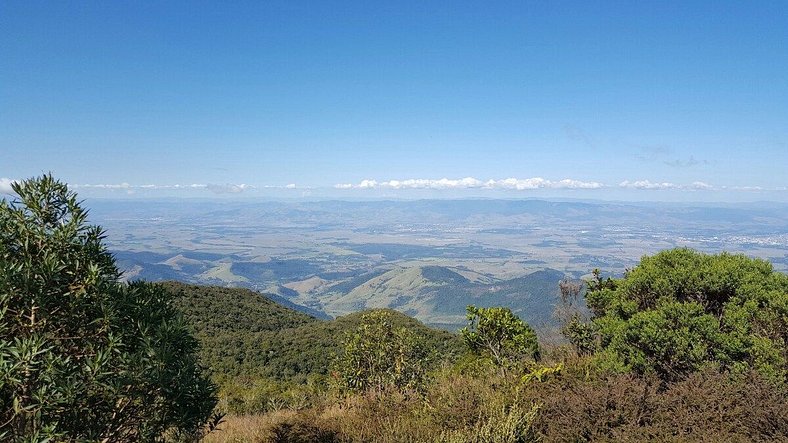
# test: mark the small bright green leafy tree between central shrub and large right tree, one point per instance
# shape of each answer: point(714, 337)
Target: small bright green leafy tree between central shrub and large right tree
point(500, 335)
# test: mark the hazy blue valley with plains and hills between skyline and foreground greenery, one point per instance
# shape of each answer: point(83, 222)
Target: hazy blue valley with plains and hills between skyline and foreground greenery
point(426, 258)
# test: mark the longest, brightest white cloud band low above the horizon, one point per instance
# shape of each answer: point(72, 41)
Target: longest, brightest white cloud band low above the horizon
point(472, 183)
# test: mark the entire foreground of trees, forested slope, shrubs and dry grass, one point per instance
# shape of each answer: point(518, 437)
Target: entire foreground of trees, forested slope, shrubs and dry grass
point(685, 347)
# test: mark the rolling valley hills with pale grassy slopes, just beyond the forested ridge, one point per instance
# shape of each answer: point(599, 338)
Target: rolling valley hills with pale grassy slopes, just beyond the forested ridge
point(436, 295)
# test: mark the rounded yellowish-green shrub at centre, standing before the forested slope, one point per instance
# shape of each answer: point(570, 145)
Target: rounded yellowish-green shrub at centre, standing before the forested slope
point(379, 356)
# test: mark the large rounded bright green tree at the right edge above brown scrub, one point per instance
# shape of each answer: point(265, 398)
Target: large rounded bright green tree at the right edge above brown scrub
point(681, 310)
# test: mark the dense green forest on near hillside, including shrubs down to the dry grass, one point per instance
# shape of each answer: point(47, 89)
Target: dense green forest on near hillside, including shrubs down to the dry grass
point(265, 356)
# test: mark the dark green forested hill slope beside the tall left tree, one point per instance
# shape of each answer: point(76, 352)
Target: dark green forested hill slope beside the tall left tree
point(243, 332)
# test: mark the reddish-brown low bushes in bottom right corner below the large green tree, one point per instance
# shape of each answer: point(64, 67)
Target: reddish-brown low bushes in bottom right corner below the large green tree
point(705, 406)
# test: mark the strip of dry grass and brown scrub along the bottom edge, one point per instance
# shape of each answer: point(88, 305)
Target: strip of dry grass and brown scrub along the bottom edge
point(707, 406)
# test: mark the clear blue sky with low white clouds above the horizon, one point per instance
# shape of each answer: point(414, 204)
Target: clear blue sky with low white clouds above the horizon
point(609, 100)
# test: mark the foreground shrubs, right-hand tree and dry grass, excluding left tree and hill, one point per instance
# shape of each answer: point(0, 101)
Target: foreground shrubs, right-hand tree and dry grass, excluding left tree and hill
point(684, 347)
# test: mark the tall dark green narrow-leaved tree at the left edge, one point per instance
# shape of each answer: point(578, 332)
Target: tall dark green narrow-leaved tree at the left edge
point(82, 355)
